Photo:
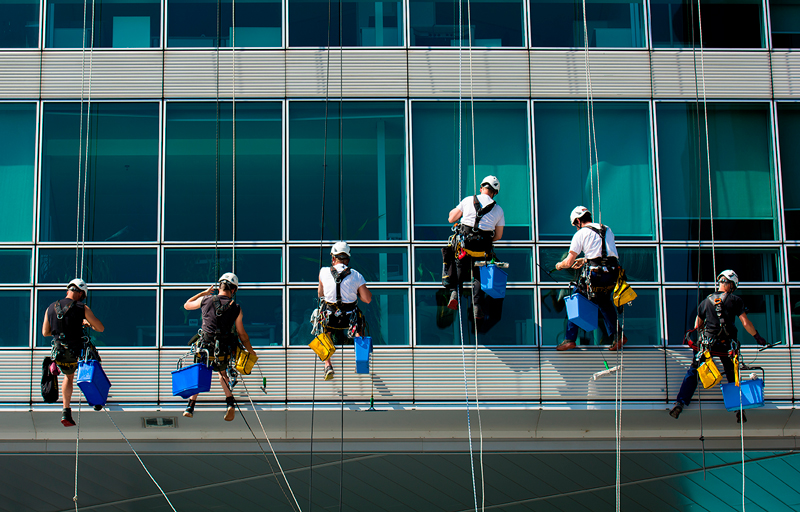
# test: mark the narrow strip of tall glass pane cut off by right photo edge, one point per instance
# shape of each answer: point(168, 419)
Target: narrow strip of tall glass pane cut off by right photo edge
point(788, 132)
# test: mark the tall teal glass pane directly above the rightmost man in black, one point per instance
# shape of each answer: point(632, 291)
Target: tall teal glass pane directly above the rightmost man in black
point(742, 172)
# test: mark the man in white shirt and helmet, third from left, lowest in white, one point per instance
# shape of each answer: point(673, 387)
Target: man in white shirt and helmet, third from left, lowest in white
point(339, 289)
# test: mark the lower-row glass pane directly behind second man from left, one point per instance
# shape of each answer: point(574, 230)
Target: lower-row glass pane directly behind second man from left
point(262, 314)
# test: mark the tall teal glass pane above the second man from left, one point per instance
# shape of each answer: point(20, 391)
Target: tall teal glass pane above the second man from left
point(198, 182)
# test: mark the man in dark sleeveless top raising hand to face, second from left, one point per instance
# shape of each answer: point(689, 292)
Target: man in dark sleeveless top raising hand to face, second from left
point(220, 334)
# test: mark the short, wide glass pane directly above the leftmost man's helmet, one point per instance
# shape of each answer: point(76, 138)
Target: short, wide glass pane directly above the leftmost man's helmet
point(109, 266)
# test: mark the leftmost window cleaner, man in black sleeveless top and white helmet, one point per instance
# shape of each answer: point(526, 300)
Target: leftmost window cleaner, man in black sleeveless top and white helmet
point(64, 320)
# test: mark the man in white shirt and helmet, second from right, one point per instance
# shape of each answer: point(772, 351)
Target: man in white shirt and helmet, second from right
point(601, 269)
